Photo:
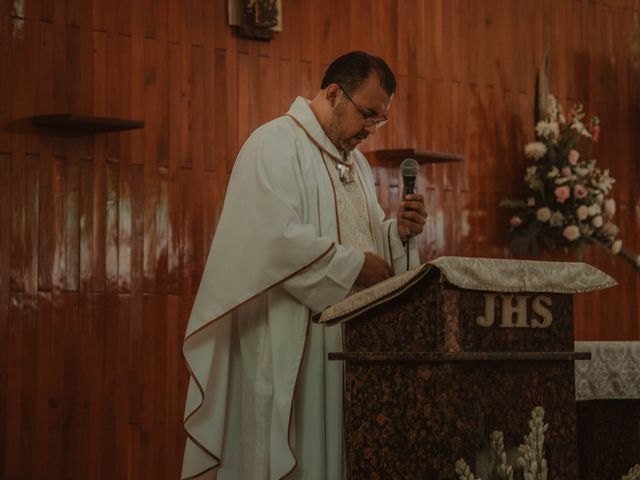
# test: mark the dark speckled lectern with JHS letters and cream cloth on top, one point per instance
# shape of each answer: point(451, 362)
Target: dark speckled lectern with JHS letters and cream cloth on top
point(438, 358)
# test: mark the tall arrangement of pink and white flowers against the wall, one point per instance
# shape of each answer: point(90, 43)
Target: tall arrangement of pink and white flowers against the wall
point(567, 203)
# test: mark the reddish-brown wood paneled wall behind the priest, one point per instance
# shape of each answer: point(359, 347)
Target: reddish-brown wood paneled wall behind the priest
point(104, 236)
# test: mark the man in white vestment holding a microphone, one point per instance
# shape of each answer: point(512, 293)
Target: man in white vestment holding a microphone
point(300, 229)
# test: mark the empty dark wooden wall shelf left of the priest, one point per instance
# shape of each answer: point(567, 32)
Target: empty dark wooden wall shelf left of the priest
point(70, 123)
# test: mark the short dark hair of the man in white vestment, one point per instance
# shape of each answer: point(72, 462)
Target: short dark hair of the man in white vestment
point(353, 68)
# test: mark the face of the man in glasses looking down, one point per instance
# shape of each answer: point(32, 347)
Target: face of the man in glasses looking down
point(354, 119)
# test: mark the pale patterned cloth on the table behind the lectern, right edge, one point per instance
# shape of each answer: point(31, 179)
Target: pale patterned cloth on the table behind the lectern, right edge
point(612, 373)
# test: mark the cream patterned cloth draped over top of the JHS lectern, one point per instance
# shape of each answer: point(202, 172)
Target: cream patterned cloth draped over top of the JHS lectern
point(484, 274)
